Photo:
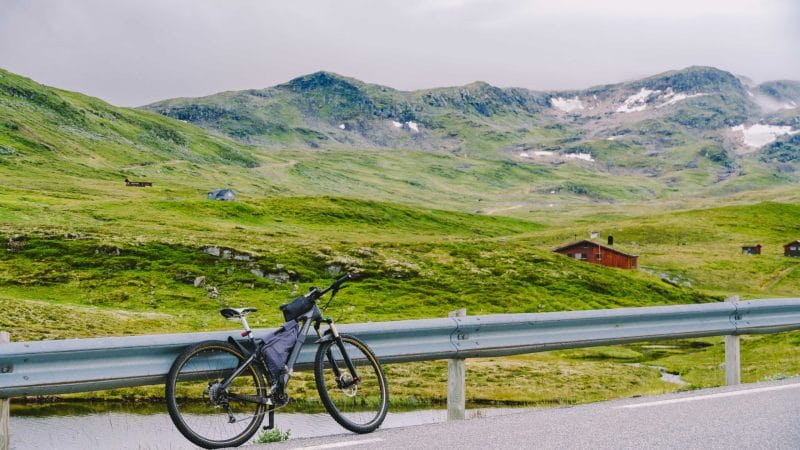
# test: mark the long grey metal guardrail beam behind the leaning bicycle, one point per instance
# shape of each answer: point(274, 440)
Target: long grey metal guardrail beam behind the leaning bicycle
point(81, 365)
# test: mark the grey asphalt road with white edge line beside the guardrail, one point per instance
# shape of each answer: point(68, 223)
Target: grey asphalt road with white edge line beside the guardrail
point(752, 416)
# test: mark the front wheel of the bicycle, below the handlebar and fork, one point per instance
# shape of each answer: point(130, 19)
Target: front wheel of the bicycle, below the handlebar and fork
point(351, 384)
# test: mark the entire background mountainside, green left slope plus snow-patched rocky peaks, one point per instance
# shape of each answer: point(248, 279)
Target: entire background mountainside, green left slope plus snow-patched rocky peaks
point(680, 135)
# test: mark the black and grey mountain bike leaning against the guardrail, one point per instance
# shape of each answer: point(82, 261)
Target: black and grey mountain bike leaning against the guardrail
point(217, 394)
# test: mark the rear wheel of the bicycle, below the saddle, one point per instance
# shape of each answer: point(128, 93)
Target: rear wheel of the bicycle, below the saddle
point(206, 412)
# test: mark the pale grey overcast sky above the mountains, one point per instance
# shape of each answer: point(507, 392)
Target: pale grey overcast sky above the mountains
point(133, 52)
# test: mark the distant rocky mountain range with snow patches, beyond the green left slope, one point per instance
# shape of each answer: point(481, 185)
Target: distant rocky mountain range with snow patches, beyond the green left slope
point(688, 129)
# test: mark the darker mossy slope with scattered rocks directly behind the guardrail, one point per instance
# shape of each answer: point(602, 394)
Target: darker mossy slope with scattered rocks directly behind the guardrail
point(399, 280)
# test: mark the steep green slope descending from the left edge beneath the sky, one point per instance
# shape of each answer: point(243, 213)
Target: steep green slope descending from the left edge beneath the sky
point(55, 131)
